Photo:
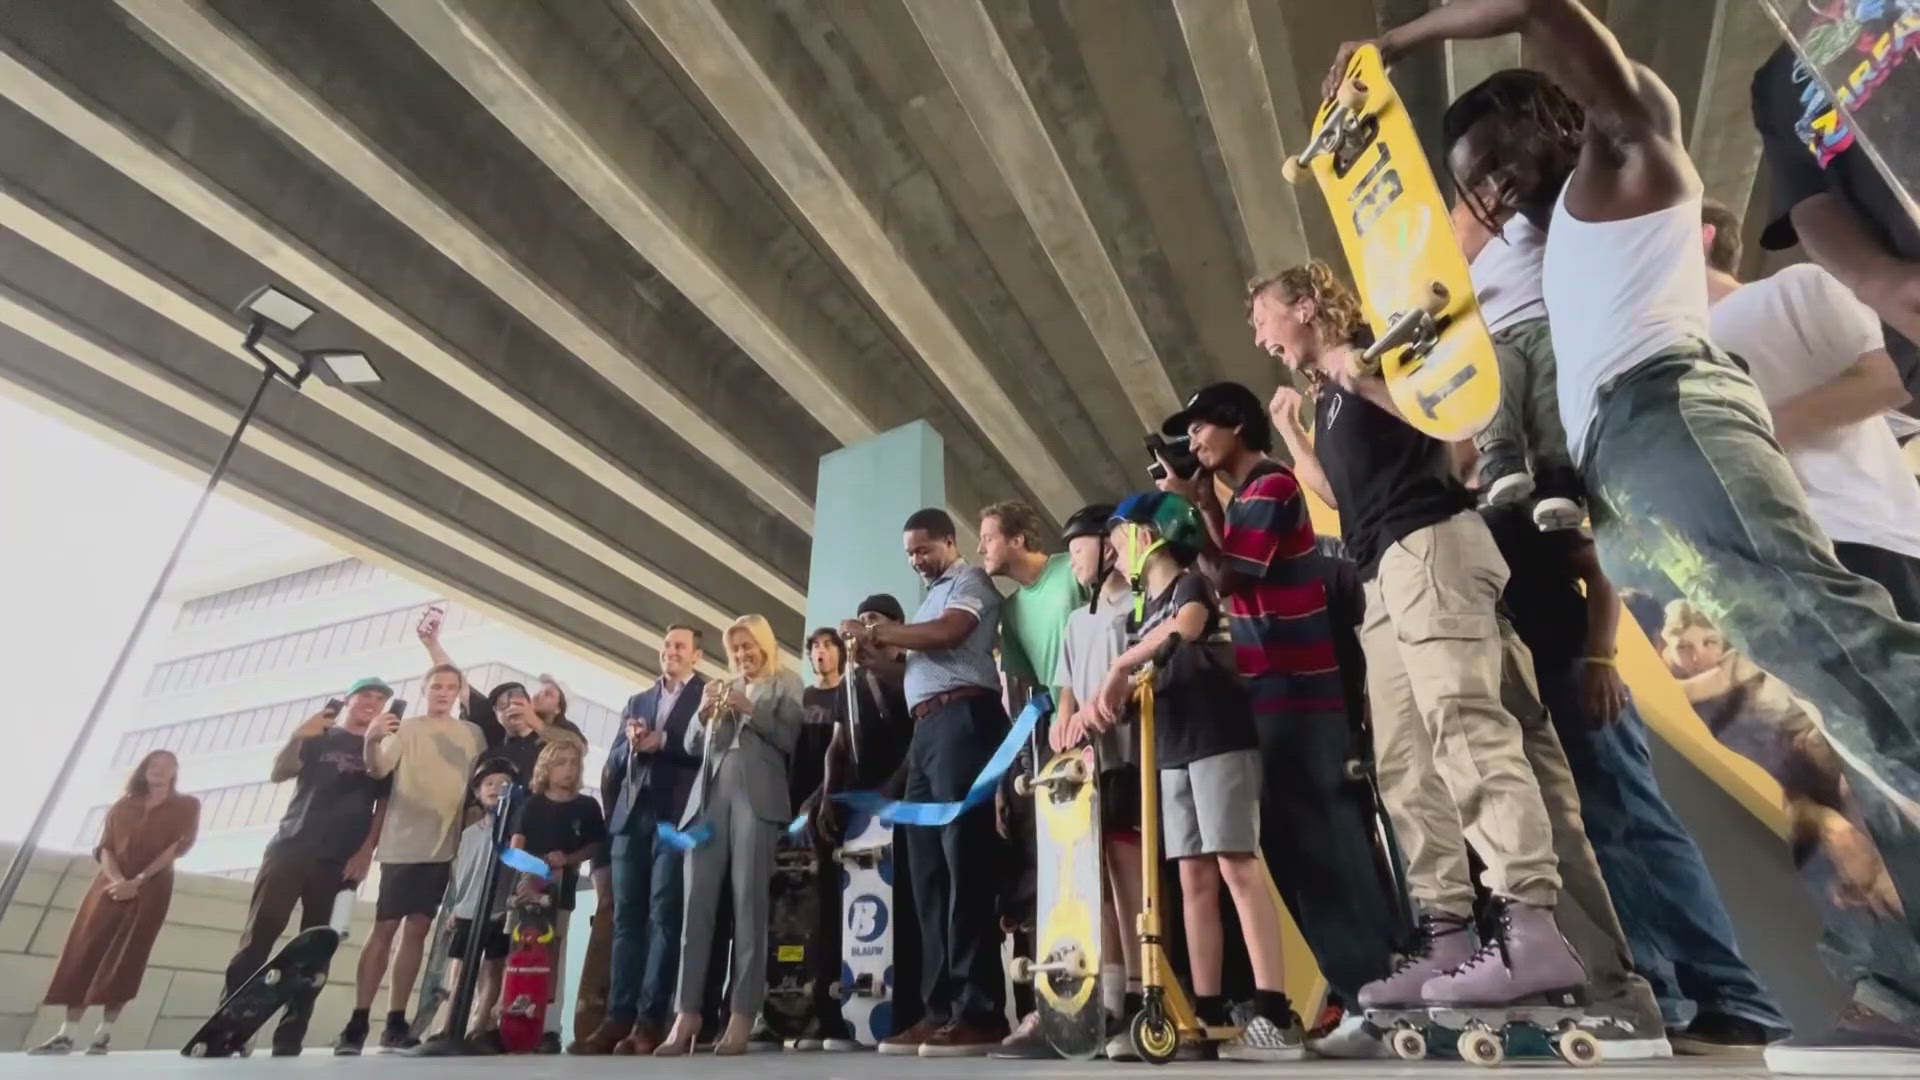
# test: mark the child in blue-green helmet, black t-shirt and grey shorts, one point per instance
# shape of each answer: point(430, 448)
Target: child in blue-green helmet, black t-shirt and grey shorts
point(1209, 766)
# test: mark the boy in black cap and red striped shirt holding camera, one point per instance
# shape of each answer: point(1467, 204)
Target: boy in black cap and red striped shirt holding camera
point(1259, 552)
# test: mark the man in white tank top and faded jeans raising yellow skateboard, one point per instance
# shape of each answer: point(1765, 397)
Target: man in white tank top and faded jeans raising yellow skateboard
point(1689, 491)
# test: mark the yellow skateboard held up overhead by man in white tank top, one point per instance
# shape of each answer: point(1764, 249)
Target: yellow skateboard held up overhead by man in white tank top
point(1429, 339)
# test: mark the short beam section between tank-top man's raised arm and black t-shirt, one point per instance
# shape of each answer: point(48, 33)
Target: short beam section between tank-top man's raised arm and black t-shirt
point(1725, 145)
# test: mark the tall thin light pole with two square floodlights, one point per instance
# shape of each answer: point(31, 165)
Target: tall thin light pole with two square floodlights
point(274, 314)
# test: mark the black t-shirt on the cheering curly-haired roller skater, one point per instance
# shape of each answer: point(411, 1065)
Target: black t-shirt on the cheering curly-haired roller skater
point(1387, 478)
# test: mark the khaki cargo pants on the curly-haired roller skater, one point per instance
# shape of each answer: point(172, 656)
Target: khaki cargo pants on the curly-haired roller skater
point(1449, 754)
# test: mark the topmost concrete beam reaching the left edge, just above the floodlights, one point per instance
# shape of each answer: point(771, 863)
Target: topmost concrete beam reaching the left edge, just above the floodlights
point(37, 91)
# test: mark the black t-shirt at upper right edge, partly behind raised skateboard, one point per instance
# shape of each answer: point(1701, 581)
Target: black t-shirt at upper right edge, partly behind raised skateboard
point(1812, 151)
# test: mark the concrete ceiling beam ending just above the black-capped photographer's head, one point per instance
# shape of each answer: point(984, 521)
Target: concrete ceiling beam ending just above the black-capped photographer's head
point(982, 74)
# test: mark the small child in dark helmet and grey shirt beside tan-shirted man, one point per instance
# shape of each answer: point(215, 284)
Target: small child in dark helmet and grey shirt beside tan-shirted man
point(469, 873)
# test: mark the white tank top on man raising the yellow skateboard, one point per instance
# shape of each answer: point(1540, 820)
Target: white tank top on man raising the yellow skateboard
point(1620, 293)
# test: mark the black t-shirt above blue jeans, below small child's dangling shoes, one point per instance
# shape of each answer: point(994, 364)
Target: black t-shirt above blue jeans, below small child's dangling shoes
point(1543, 597)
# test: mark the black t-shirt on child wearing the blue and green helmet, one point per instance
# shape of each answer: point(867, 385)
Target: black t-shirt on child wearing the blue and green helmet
point(1201, 702)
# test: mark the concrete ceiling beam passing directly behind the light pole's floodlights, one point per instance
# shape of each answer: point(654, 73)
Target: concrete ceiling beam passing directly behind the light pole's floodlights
point(208, 322)
